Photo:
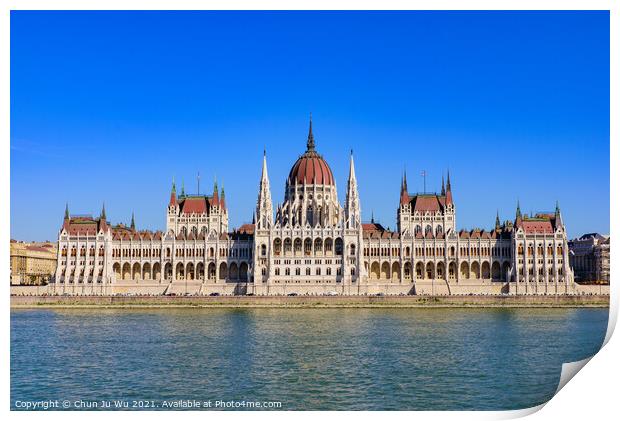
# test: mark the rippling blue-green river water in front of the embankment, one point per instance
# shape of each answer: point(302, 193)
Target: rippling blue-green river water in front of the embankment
point(351, 359)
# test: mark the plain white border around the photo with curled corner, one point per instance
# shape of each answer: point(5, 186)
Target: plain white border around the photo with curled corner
point(590, 395)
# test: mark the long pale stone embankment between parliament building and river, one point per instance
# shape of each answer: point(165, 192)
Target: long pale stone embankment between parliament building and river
point(456, 301)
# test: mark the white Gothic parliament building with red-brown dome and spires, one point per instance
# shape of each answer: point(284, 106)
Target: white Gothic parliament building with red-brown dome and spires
point(313, 244)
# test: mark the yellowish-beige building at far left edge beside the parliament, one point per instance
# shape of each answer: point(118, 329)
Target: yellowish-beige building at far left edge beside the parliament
point(32, 263)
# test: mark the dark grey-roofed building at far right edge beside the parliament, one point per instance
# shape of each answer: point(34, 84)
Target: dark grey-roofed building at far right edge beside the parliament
point(589, 257)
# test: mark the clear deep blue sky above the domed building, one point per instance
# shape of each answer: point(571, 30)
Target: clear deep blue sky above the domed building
point(110, 106)
